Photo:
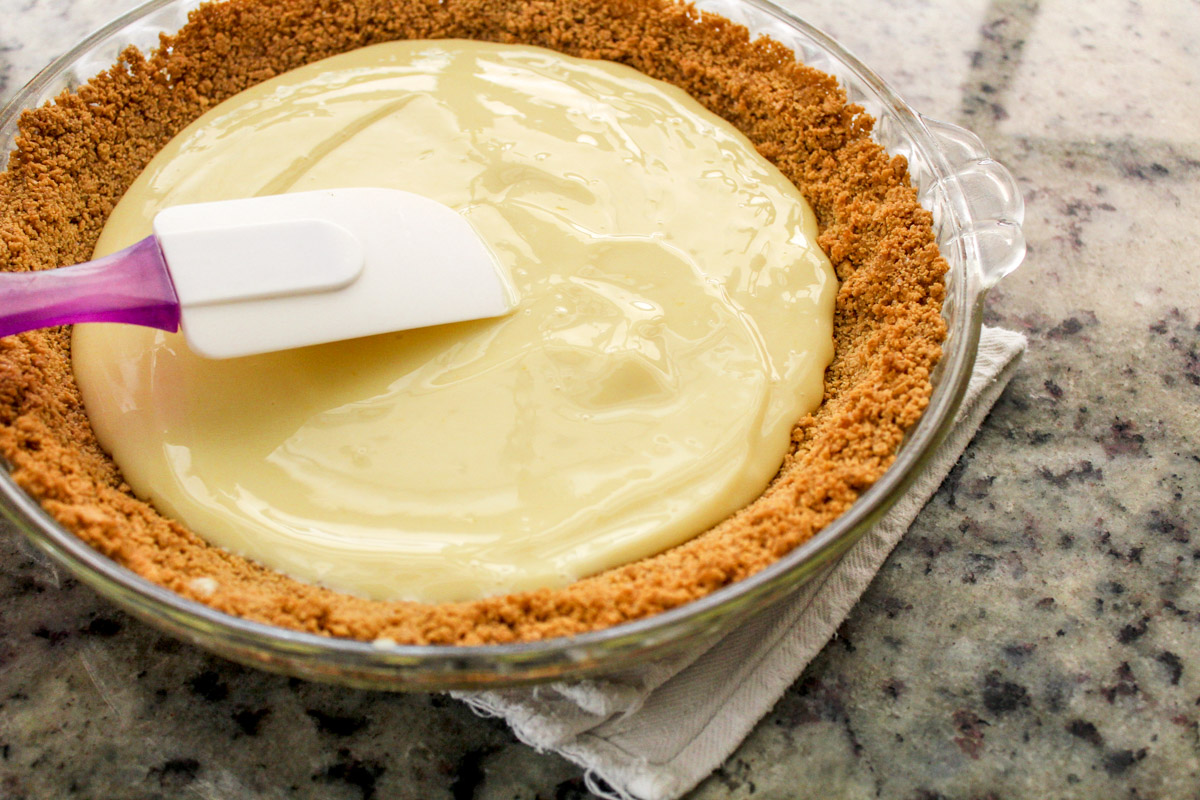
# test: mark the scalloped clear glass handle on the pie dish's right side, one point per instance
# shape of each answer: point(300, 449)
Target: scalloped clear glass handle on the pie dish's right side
point(994, 204)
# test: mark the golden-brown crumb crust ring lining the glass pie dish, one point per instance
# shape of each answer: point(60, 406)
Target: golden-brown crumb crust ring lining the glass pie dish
point(77, 157)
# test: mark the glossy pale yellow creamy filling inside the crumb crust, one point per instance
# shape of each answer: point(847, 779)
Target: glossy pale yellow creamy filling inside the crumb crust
point(676, 321)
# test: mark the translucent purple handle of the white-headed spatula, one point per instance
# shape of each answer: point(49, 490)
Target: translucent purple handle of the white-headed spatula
point(131, 286)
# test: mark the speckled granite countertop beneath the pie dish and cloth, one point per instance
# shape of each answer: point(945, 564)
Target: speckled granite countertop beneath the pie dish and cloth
point(1036, 634)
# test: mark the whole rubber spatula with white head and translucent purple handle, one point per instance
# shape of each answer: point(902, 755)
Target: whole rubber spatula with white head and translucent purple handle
point(278, 273)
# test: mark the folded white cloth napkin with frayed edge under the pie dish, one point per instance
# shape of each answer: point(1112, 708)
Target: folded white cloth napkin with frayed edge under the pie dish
point(657, 731)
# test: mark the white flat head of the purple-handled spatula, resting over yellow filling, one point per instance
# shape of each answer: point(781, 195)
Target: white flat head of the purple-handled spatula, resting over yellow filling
point(290, 270)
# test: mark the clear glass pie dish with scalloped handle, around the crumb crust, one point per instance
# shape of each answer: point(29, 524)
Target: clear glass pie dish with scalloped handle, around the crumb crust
point(977, 213)
